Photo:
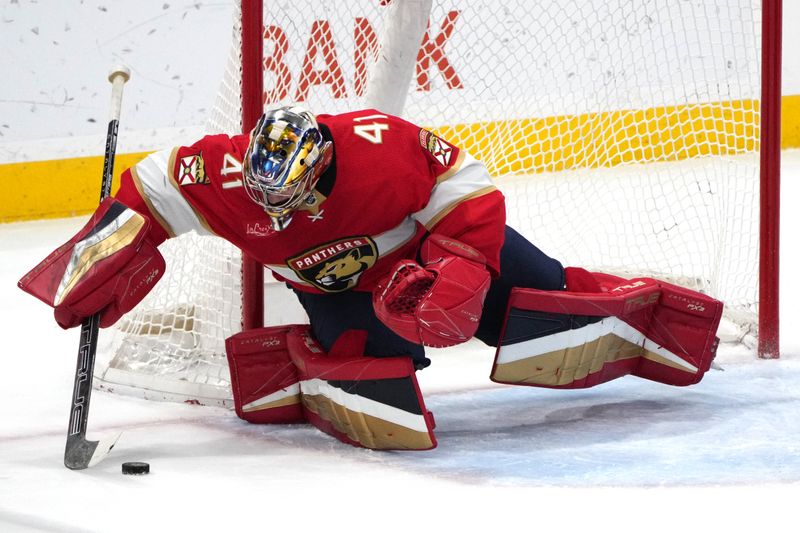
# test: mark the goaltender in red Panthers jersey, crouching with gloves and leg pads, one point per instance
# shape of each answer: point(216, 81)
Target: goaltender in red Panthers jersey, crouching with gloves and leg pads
point(392, 239)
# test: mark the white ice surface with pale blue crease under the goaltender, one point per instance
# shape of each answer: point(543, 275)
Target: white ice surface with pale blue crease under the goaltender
point(723, 455)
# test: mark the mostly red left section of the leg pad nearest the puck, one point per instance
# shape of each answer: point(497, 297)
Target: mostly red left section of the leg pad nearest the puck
point(264, 381)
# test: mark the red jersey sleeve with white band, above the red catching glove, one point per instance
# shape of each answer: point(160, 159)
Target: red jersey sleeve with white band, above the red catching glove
point(464, 202)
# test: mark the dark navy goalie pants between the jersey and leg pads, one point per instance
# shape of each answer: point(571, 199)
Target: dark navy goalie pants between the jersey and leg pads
point(522, 264)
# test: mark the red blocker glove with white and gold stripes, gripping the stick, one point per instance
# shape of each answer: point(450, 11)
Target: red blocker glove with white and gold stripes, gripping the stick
point(108, 267)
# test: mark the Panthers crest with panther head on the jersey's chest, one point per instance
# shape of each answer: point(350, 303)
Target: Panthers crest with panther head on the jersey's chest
point(336, 266)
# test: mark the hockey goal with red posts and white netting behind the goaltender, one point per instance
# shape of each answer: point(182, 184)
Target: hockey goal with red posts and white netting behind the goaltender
point(639, 138)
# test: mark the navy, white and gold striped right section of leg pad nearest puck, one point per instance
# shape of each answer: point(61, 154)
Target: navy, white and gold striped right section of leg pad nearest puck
point(364, 401)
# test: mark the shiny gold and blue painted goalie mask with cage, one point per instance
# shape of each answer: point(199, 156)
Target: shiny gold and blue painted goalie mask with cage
point(285, 158)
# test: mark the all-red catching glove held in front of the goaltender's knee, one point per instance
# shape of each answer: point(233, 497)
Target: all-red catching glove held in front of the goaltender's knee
point(438, 304)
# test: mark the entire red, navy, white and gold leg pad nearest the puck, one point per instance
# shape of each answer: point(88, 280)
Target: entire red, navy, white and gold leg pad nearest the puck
point(282, 375)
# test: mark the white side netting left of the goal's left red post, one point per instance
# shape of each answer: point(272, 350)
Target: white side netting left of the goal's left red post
point(172, 345)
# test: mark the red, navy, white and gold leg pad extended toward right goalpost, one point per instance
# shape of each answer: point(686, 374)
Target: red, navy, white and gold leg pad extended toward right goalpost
point(643, 327)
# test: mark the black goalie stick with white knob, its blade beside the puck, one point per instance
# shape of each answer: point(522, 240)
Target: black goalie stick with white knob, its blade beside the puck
point(81, 453)
